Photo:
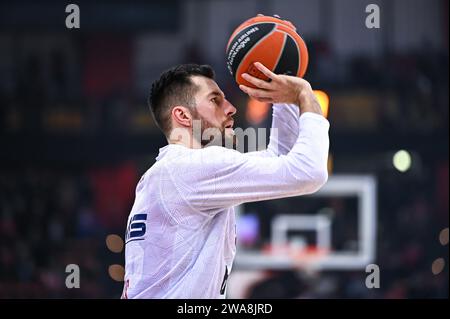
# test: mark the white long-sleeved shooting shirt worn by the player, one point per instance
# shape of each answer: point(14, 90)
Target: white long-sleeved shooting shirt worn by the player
point(181, 232)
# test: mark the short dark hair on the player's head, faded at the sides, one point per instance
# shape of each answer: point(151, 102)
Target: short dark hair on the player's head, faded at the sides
point(175, 87)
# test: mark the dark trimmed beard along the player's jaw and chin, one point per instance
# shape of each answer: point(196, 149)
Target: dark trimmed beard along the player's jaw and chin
point(215, 135)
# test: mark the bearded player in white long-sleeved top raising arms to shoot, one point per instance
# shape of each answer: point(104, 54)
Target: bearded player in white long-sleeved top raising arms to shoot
point(181, 234)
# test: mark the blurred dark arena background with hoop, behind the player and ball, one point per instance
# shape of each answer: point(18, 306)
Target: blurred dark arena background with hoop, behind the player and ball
point(76, 134)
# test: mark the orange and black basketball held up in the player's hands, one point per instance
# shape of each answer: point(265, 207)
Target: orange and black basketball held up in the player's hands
point(269, 40)
